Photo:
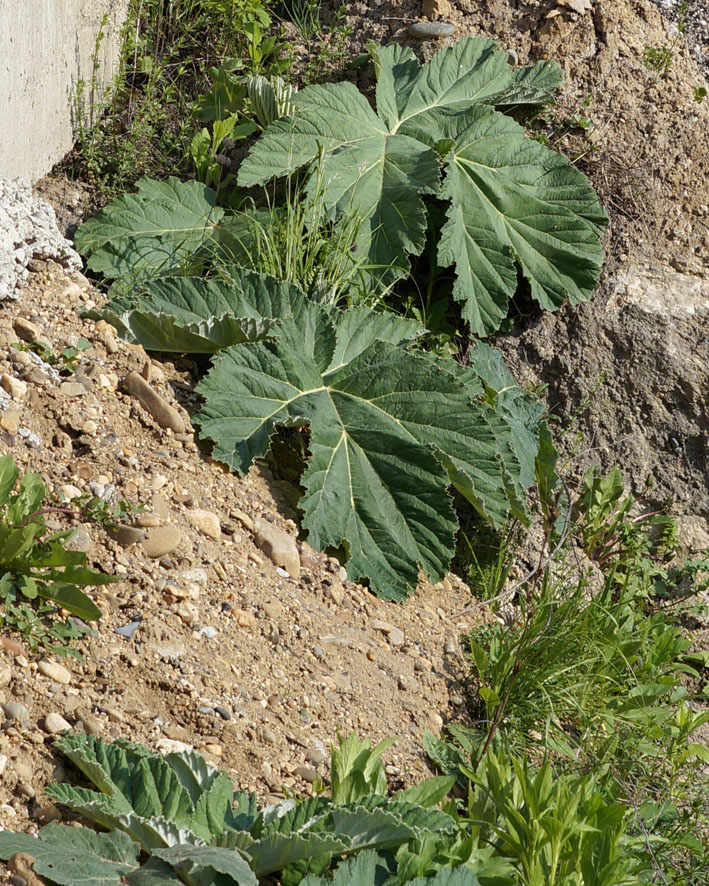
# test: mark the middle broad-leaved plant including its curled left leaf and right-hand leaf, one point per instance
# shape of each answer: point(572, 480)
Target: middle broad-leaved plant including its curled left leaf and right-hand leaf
point(388, 428)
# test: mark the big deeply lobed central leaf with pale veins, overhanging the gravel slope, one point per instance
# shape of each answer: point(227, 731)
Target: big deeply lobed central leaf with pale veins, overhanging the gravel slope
point(389, 431)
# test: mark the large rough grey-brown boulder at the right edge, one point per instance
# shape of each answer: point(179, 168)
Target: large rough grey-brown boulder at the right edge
point(632, 364)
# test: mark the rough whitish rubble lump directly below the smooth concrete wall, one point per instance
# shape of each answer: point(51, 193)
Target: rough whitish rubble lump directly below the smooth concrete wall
point(28, 235)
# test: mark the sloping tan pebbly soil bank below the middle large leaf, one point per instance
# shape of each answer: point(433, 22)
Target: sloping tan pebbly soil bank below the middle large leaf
point(227, 653)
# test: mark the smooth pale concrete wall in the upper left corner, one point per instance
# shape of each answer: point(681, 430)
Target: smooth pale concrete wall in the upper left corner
point(46, 47)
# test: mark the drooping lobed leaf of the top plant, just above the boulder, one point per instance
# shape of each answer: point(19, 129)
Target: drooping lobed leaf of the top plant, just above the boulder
point(516, 205)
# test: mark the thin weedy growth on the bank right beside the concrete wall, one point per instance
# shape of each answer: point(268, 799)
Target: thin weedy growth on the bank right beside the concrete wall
point(141, 124)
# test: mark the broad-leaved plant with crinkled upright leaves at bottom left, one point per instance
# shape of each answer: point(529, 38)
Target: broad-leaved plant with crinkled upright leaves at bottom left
point(175, 819)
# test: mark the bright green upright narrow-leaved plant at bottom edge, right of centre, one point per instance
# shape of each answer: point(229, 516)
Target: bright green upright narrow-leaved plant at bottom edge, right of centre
point(534, 826)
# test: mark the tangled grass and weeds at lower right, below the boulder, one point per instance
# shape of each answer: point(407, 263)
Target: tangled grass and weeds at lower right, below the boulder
point(589, 675)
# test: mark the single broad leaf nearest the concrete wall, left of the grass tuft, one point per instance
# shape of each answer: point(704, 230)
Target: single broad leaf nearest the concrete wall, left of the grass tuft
point(149, 233)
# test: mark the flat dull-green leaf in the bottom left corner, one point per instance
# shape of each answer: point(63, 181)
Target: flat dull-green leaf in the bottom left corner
point(75, 856)
